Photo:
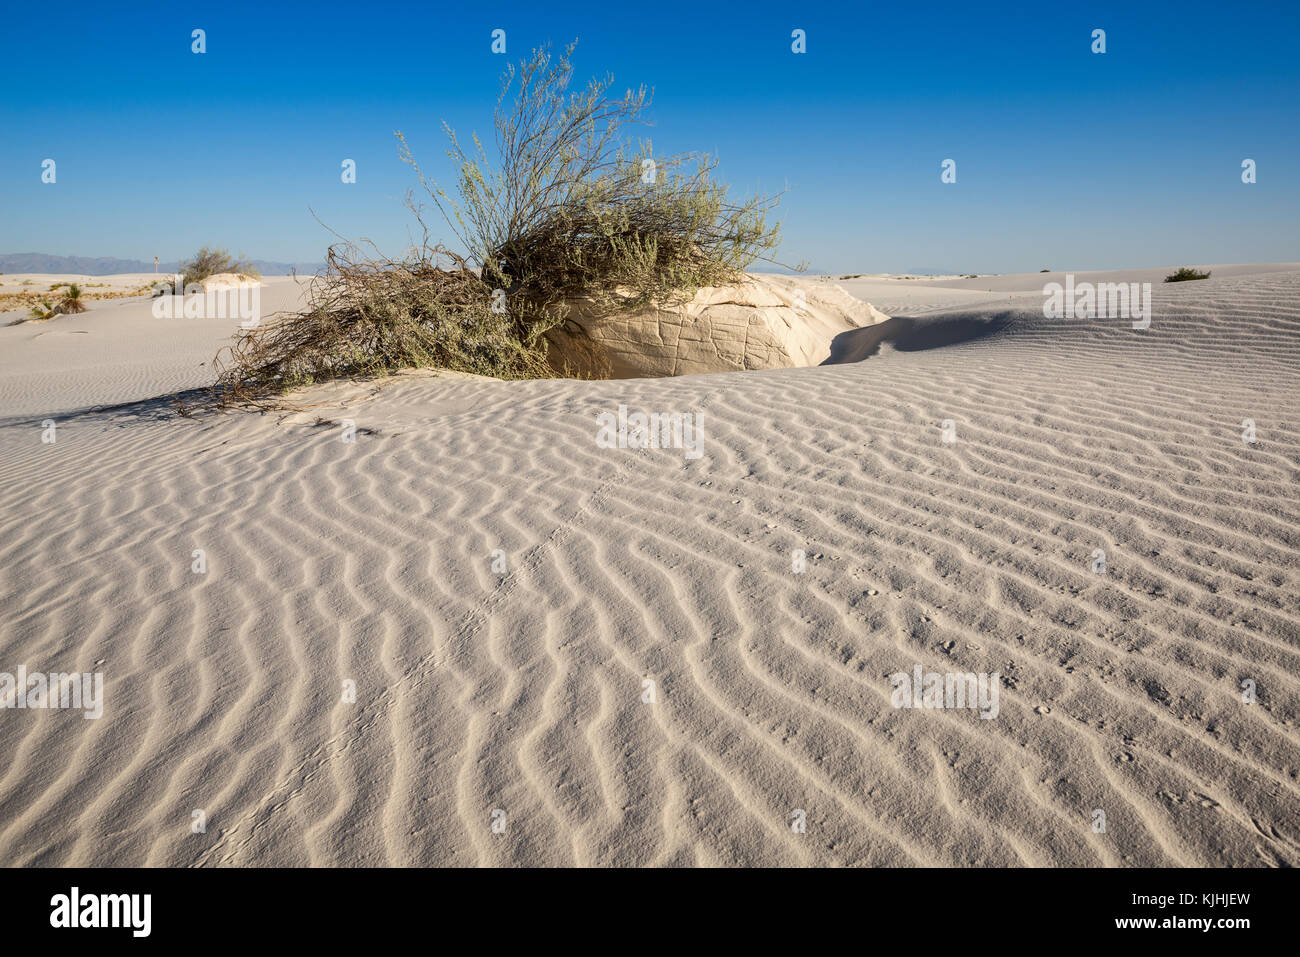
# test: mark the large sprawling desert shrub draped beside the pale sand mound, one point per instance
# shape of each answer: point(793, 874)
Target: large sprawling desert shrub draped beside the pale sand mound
point(569, 210)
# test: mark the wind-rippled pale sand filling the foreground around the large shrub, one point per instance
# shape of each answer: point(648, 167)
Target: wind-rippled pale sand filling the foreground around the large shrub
point(523, 692)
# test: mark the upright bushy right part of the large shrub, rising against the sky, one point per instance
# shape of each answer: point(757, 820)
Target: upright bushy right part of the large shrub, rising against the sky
point(573, 209)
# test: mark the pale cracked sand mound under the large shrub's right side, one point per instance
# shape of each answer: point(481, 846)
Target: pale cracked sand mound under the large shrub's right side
point(765, 323)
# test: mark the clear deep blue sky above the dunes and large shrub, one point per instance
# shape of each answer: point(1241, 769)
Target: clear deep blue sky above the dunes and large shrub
point(1065, 159)
